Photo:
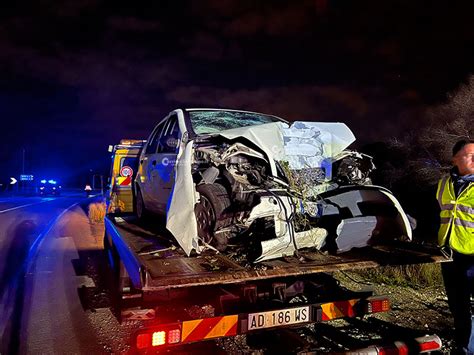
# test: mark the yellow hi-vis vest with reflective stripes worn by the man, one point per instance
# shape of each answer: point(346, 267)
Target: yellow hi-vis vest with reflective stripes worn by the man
point(457, 216)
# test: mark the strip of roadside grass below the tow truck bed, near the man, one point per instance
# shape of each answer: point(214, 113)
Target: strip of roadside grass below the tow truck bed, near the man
point(414, 276)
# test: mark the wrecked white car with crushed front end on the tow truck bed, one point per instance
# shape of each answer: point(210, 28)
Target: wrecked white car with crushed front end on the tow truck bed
point(225, 178)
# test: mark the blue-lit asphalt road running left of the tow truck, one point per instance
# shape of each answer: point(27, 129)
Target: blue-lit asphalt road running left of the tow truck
point(40, 308)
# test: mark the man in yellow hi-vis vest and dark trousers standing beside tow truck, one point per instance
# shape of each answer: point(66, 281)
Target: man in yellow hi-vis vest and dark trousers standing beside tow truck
point(455, 196)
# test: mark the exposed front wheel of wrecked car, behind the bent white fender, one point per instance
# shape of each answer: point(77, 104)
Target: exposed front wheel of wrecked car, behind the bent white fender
point(212, 215)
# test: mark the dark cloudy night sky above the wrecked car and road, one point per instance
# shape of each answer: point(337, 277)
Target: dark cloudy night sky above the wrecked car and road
point(77, 77)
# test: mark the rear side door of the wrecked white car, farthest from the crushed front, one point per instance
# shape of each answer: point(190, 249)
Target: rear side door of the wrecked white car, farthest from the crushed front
point(147, 169)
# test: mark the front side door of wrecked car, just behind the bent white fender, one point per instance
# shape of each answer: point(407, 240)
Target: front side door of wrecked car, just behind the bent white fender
point(163, 181)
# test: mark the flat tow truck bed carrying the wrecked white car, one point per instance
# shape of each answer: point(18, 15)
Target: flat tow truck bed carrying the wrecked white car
point(154, 263)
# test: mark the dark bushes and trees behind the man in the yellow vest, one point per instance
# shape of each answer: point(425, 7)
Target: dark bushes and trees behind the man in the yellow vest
point(412, 165)
